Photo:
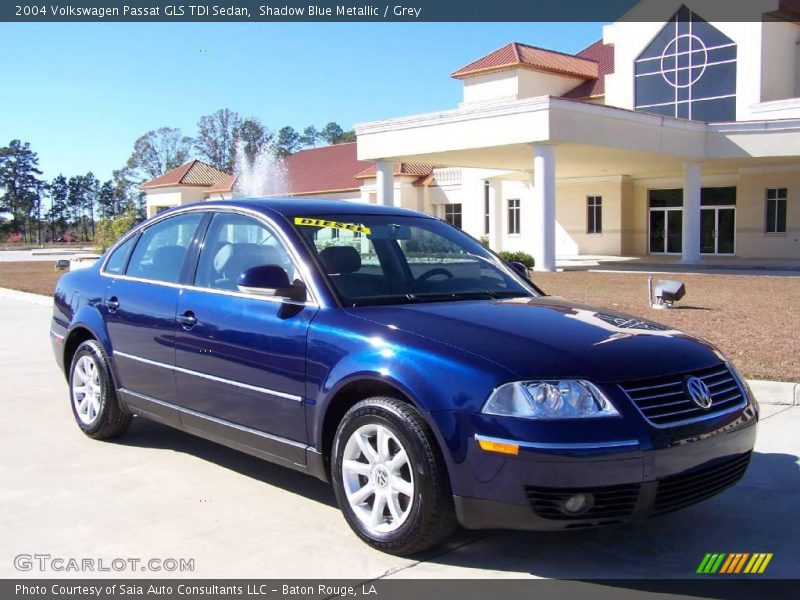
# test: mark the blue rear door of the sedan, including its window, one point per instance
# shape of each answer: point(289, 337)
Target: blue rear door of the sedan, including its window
point(140, 306)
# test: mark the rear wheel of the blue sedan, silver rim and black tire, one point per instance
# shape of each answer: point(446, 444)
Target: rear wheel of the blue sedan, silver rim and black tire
point(92, 394)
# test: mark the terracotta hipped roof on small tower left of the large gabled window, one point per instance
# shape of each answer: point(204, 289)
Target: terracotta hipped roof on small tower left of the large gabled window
point(516, 55)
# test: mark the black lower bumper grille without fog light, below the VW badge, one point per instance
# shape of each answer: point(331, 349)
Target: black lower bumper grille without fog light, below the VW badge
point(677, 491)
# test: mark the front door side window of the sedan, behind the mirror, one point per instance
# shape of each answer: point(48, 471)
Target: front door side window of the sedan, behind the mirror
point(235, 243)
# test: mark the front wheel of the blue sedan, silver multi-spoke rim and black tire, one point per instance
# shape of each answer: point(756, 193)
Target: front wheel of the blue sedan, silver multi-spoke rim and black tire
point(404, 475)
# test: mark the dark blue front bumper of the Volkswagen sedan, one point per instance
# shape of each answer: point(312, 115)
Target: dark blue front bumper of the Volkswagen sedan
point(655, 474)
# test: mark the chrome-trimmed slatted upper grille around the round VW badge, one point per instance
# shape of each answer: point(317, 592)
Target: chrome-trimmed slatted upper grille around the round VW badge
point(664, 400)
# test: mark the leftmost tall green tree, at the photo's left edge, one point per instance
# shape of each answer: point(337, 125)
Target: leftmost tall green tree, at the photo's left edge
point(19, 183)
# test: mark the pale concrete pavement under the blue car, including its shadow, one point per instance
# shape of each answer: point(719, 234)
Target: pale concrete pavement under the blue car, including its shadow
point(158, 493)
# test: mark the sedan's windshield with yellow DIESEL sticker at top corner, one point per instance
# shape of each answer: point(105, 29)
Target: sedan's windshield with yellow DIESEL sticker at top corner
point(389, 259)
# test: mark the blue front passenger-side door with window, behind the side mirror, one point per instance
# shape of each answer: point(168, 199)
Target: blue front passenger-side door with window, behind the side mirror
point(241, 358)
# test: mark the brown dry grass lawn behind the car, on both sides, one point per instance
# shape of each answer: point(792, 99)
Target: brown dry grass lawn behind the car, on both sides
point(755, 320)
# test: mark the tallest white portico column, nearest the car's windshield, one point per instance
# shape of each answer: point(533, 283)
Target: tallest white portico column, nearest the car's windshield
point(544, 206)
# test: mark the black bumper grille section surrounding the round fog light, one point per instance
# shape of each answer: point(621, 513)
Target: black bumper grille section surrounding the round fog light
point(610, 502)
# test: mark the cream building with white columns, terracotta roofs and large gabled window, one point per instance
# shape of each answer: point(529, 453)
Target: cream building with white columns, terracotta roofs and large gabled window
point(678, 137)
